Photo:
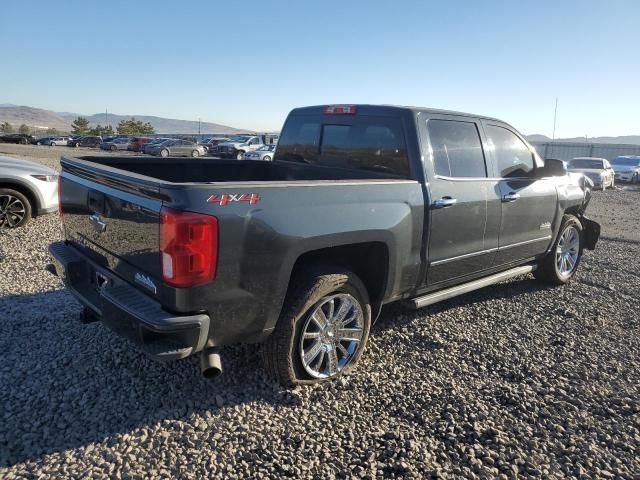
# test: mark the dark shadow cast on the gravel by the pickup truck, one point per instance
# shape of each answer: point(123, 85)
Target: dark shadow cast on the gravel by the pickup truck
point(68, 385)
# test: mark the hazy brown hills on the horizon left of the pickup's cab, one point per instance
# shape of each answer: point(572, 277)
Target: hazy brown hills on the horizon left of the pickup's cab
point(38, 118)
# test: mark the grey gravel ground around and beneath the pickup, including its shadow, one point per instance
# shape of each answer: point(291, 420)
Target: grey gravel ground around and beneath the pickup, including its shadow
point(516, 380)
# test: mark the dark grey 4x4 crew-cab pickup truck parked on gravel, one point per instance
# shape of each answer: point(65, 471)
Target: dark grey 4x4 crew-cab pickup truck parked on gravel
point(362, 205)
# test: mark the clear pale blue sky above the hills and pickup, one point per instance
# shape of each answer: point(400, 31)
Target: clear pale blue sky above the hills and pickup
point(246, 64)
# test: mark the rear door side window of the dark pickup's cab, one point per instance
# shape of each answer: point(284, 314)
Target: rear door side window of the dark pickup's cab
point(457, 150)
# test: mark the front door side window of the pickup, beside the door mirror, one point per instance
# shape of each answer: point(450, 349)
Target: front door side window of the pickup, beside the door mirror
point(512, 155)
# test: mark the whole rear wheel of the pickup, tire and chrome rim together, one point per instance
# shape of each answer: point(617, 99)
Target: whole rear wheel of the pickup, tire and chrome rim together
point(316, 289)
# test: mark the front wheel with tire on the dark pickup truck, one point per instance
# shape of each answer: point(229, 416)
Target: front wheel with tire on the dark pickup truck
point(548, 269)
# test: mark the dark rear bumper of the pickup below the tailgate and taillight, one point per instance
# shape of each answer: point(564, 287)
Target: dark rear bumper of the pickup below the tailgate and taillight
point(130, 313)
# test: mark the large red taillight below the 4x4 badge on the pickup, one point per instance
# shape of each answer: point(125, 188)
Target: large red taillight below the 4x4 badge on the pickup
point(188, 246)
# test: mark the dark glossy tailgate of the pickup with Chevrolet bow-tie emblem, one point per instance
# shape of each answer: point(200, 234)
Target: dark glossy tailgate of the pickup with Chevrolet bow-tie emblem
point(112, 219)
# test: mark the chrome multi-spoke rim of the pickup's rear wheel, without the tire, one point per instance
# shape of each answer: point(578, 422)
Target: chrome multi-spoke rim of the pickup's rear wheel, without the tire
point(331, 335)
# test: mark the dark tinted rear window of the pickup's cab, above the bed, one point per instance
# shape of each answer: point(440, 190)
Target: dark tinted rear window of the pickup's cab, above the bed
point(368, 143)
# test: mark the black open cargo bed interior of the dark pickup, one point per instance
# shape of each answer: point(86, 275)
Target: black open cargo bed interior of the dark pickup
point(211, 170)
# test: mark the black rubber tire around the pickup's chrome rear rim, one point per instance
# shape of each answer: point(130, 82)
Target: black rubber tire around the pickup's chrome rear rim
point(281, 352)
